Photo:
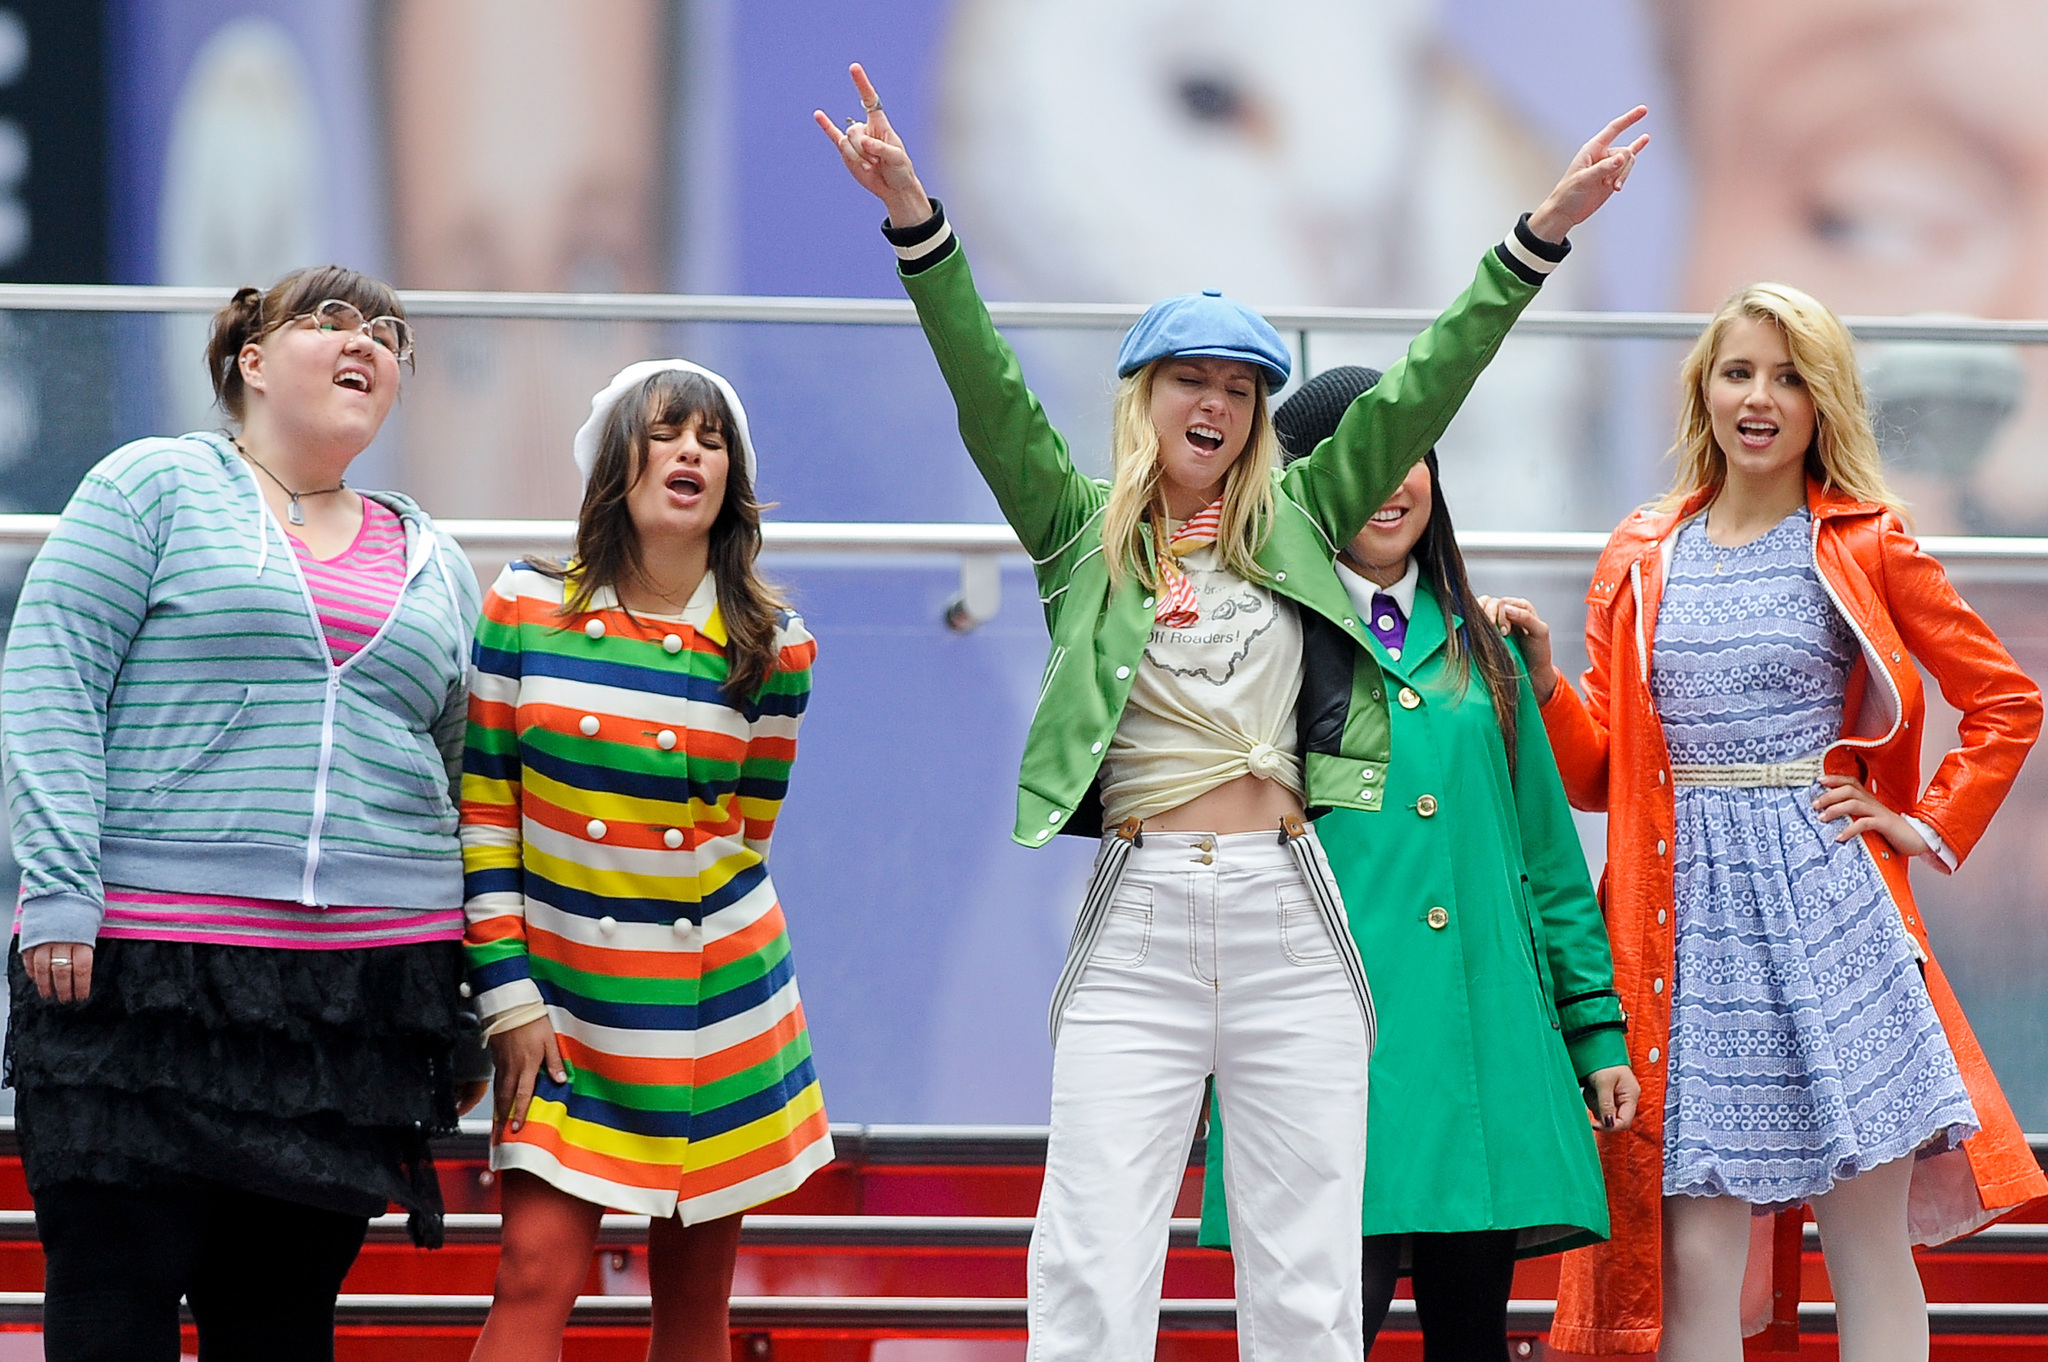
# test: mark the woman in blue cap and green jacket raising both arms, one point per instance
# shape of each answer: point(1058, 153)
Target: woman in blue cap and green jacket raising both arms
point(1185, 601)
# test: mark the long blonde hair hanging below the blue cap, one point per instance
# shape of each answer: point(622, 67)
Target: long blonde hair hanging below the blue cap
point(1136, 495)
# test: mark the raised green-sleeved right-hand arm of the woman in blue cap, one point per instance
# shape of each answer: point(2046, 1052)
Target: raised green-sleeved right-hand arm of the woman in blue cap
point(1398, 421)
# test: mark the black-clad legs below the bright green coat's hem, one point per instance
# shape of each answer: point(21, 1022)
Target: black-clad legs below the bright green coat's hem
point(1461, 1291)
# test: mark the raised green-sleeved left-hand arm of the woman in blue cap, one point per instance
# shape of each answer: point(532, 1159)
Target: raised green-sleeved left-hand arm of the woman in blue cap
point(1005, 427)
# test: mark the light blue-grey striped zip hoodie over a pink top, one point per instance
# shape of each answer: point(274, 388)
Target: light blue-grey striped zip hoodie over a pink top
point(173, 718)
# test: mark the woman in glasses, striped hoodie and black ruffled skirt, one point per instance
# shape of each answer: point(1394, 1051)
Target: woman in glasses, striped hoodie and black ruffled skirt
point(232, 710)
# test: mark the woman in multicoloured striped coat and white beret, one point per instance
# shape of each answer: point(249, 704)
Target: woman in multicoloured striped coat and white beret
point(632, 728)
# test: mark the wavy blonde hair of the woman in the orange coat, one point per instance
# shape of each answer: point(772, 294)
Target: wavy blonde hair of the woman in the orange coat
point(1844, 448)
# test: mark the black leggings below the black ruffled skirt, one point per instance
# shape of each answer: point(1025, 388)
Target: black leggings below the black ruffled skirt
point(259, 1273)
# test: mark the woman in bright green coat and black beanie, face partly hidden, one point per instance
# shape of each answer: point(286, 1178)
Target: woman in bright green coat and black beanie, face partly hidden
point(1480, 931)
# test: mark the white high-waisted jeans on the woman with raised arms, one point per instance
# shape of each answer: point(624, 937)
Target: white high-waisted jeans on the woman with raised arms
point(1213, 960)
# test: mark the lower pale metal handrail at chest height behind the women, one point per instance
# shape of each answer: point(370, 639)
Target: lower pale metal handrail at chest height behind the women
point(984, 548)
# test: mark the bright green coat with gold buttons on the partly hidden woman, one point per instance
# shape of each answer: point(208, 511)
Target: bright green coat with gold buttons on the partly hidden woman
point(1490, 972)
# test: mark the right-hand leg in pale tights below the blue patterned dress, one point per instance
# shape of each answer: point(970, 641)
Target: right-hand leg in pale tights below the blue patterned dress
point(1879, 1300)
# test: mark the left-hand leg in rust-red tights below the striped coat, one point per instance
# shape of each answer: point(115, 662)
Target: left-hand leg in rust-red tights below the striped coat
point(542, 1267)
